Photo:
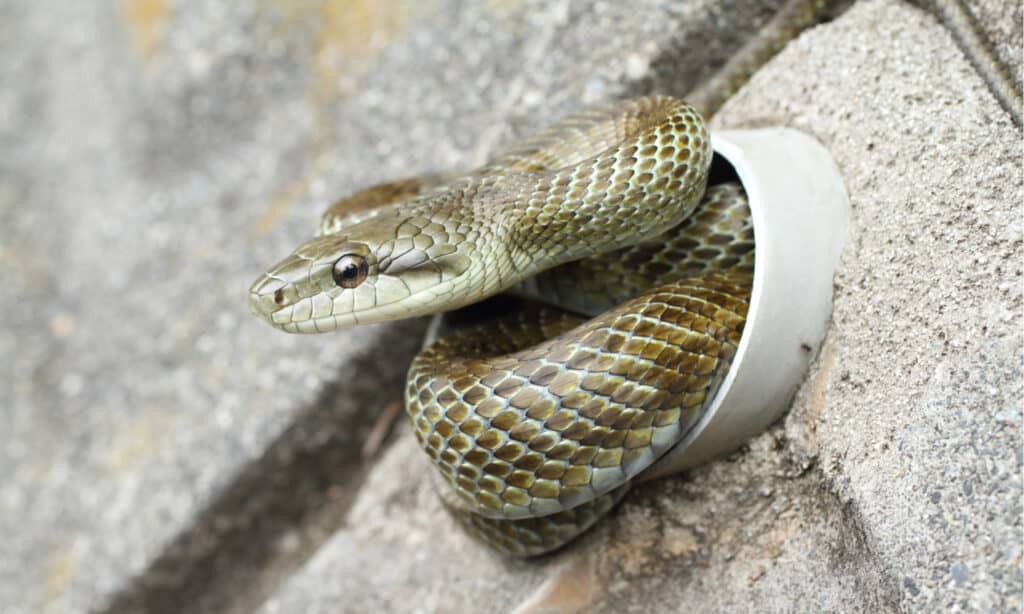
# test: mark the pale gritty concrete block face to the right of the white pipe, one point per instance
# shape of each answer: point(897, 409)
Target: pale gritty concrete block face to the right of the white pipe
point(915, 412)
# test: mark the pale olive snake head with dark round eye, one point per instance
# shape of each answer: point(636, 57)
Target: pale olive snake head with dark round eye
point(380, 270)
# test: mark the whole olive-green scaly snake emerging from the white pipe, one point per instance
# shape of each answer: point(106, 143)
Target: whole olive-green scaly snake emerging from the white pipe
point(639, 274)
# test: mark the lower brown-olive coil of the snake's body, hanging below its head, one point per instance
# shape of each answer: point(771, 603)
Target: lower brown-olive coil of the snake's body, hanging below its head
point(543, 414)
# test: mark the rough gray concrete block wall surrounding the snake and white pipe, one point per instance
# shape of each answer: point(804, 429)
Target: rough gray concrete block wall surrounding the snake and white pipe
point(164, 452)
